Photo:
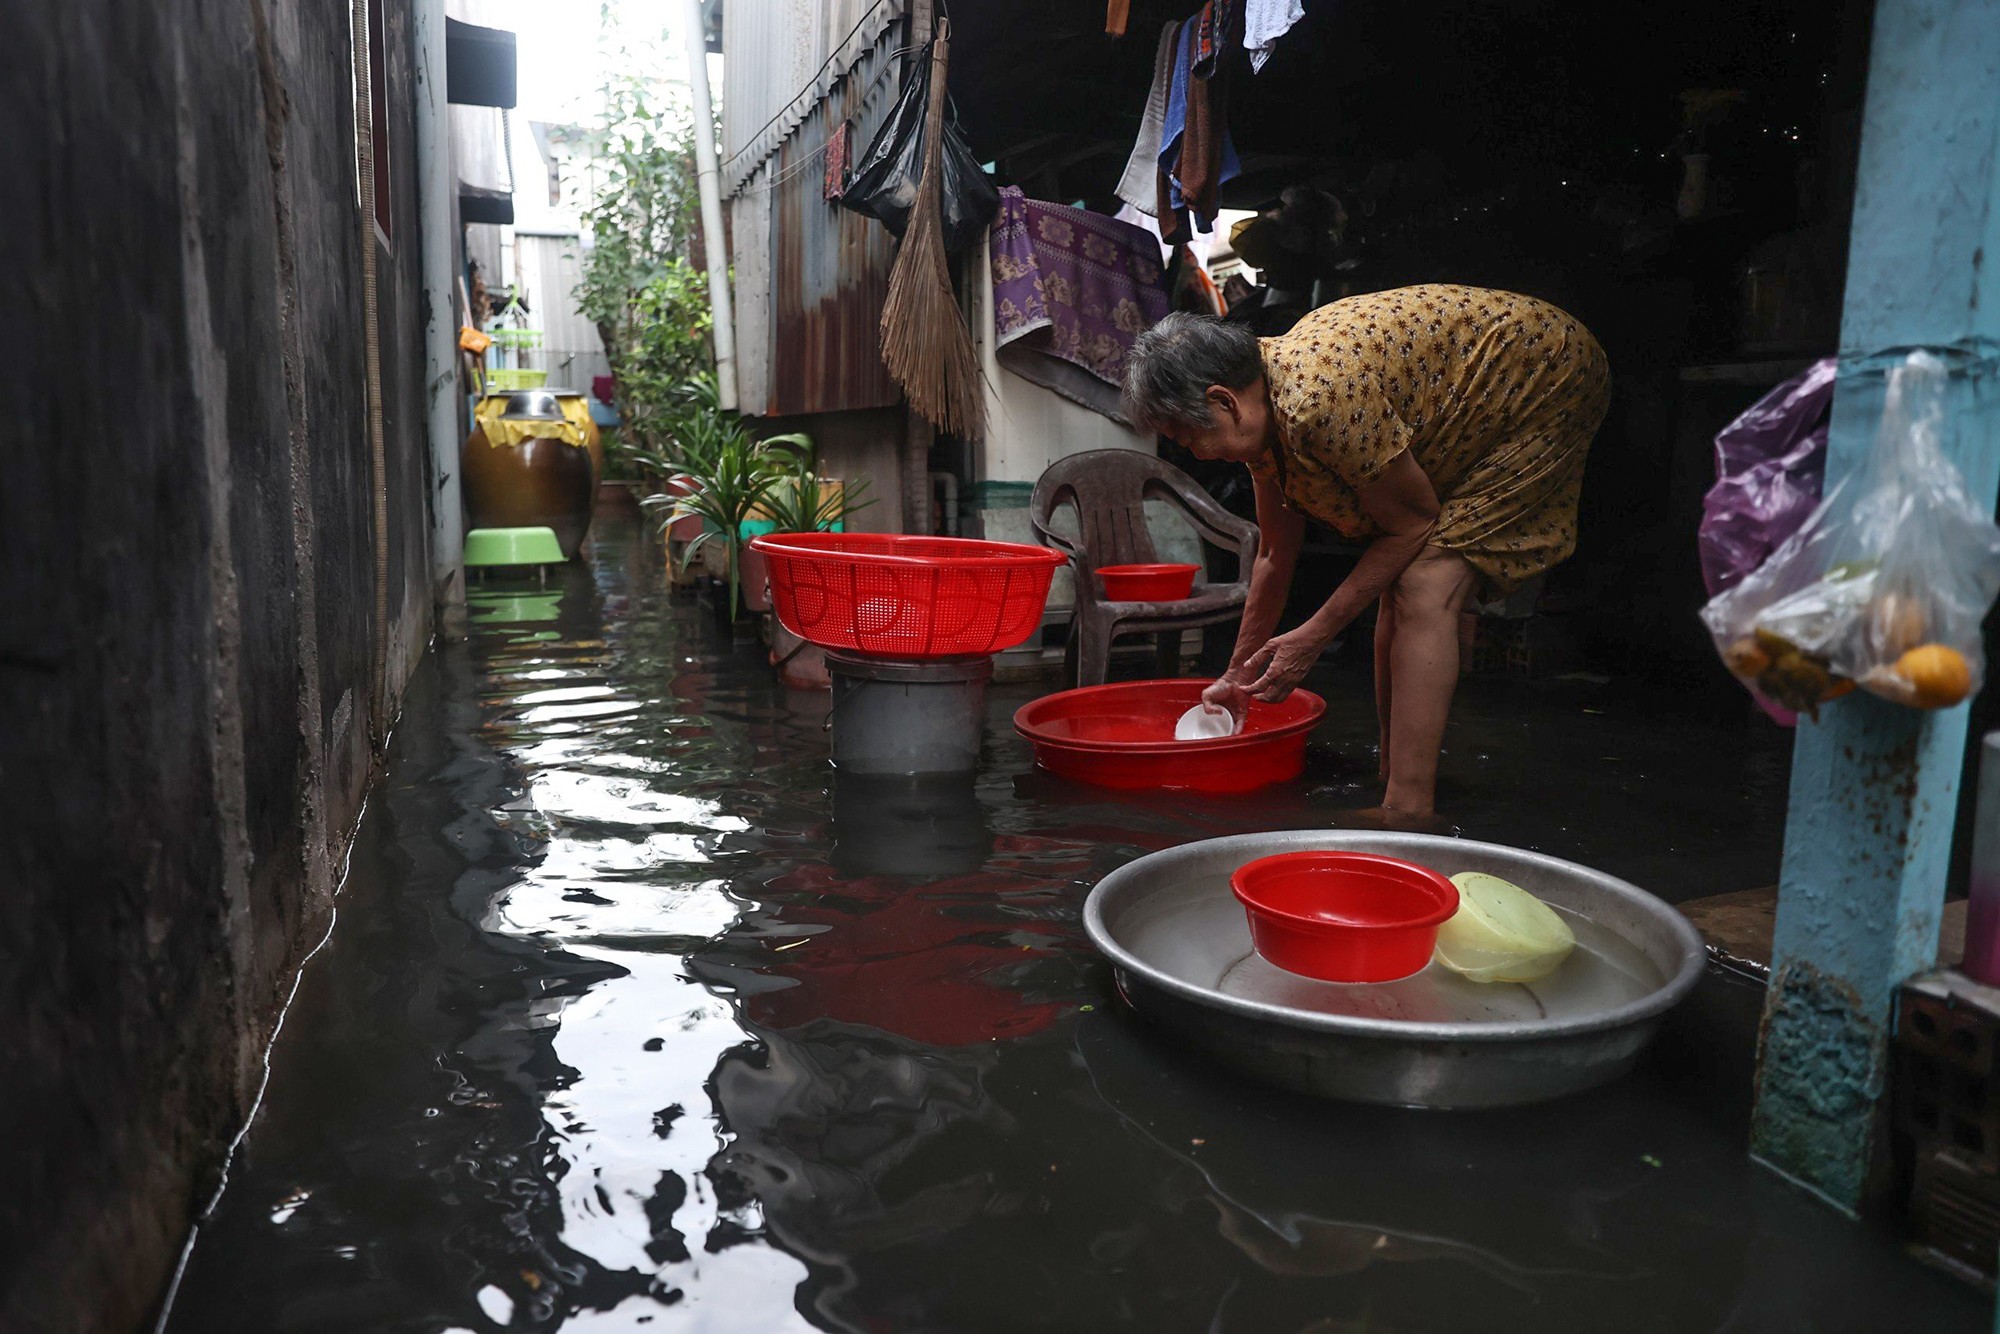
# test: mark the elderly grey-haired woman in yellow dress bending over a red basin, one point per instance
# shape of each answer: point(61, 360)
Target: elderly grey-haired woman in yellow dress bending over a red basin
point(1447, 427)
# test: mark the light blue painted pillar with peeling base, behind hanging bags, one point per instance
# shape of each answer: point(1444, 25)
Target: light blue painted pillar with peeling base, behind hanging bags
point(1875, 787)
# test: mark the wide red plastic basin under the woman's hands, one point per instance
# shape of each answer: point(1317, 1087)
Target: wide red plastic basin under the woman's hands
point(1123, 737)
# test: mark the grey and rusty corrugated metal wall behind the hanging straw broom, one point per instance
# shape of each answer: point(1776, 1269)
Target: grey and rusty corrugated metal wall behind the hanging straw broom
point(811, 277)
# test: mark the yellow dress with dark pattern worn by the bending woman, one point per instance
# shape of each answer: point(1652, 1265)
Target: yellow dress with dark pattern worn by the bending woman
point(1495, 395)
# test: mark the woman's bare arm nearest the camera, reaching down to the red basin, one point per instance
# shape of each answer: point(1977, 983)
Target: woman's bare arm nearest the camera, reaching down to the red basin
point(1405, 507)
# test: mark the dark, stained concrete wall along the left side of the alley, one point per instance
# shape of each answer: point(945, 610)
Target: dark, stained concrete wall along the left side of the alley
point(189, 573)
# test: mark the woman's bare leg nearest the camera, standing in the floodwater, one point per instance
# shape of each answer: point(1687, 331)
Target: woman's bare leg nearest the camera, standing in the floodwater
point(1423, 665)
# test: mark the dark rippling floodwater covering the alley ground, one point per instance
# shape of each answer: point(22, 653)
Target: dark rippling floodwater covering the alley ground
point(635, 1021)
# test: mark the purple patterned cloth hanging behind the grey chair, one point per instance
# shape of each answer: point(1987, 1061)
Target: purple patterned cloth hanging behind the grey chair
point(1073, 285)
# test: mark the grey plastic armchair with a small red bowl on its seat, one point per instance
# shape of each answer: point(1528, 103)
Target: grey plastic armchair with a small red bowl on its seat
point(1109, 491)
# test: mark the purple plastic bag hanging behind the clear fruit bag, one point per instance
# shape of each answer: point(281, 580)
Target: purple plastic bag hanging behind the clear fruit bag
point(1769, 469)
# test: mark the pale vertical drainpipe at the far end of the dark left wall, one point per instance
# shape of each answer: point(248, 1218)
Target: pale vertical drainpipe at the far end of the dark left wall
point(435, 181)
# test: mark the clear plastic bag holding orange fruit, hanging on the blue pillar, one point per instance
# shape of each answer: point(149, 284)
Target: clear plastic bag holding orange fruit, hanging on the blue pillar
point(1885, 585)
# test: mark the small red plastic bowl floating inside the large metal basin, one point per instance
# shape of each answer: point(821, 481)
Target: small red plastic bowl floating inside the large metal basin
point(1345, 917)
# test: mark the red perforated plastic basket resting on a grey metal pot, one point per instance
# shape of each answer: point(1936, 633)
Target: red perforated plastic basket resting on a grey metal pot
point(877, 593)
